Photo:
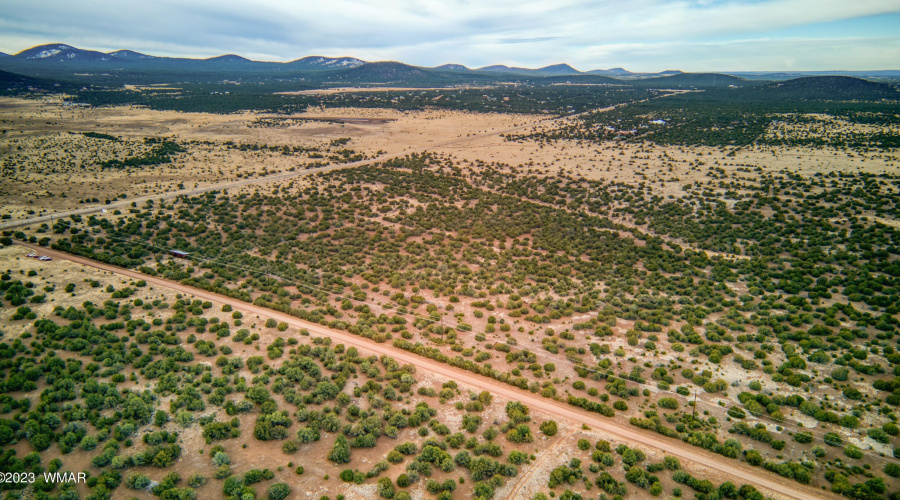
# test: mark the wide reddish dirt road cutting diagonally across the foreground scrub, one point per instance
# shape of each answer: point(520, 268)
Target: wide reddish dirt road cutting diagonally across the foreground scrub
point(737, 472)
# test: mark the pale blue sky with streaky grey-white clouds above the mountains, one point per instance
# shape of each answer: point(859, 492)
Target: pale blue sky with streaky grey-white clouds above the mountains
point(640, 35)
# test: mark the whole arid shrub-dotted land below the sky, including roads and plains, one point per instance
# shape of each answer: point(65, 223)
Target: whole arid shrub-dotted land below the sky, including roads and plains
point(448, 287)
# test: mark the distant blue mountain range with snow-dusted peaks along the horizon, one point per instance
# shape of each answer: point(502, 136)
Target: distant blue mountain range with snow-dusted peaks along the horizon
point(64, 63)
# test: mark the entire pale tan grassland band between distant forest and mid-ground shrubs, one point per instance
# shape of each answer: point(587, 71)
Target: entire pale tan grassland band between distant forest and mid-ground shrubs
point(49, 167)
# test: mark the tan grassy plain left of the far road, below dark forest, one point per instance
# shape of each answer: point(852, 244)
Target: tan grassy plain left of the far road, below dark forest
point(48, 144)
